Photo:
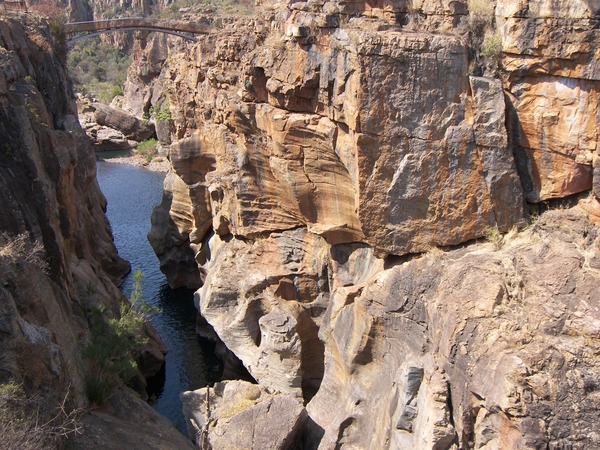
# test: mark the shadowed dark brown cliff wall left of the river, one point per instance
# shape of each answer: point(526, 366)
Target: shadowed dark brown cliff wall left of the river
point(57, 257)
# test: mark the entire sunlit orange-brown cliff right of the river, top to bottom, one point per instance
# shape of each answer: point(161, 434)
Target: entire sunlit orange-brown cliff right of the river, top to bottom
point(317, 147)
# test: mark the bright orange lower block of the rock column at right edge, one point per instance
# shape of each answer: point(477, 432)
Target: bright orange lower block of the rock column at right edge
point(554, 127)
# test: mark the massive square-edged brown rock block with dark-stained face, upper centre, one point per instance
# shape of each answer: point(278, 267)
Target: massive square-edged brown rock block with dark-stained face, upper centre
point(301, 136)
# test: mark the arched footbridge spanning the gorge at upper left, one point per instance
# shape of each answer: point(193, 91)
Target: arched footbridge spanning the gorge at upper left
point(185, 30)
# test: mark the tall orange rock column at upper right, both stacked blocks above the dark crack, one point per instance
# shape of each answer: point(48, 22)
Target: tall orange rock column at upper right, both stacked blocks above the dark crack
point(552, 85)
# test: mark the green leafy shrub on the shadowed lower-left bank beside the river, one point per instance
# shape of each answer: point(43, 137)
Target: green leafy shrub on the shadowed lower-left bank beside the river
point(111, 344)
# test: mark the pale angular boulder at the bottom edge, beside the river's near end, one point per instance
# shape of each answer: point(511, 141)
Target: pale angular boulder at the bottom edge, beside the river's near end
point(243, 416)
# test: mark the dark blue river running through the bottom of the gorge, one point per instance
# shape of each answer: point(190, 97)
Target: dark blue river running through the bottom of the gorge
point(132, 192)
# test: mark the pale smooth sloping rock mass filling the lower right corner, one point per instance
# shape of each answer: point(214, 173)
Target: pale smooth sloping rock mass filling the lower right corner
point(504, 368)
